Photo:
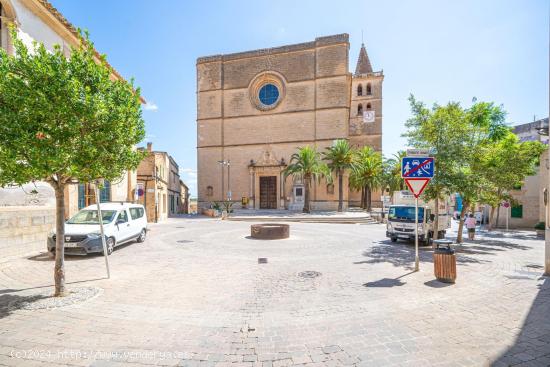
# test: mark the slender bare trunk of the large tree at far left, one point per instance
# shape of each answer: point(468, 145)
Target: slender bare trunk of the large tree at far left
point(59, 268)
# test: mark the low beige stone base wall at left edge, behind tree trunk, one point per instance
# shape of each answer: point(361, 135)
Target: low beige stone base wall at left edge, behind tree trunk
point(23, 230)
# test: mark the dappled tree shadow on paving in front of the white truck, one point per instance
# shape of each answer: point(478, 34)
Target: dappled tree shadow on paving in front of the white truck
point(401, 254)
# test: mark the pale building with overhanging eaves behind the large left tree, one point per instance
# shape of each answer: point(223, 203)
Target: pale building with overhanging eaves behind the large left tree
point(30, 208)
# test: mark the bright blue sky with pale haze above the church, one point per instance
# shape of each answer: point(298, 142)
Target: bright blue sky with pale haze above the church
point(438, 50)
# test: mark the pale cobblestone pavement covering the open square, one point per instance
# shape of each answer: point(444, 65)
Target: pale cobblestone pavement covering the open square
point(194, 294)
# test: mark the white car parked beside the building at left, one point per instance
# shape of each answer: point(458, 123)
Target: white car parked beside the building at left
point(122, 223)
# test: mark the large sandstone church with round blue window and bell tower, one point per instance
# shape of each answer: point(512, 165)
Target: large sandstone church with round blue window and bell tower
point(256, 108)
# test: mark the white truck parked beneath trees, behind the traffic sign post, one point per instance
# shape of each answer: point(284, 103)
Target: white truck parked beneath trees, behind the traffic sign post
point(401, 218)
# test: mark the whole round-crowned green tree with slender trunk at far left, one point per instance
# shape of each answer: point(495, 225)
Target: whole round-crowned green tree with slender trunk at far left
point(64, 120)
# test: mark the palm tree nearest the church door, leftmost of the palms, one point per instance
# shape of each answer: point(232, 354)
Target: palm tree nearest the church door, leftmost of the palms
point(306, 164)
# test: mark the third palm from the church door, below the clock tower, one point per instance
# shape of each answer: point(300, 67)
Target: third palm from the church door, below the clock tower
point(366, 174)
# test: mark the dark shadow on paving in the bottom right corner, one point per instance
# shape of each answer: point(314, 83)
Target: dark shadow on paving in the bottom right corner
point(532, 346)
